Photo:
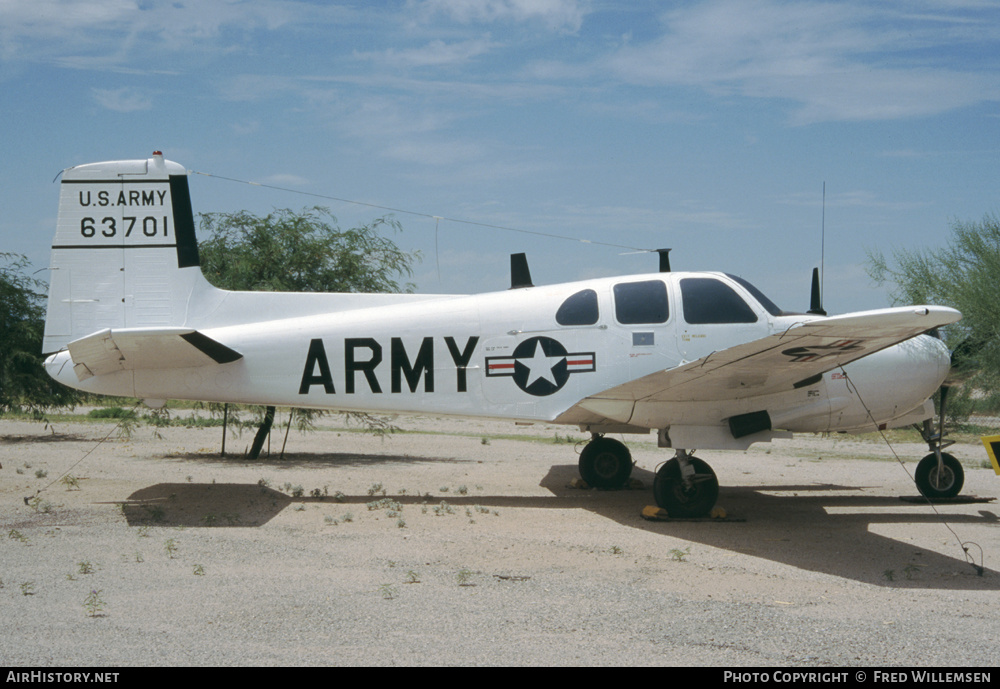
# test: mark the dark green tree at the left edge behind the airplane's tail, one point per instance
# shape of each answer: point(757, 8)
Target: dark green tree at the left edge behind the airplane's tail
point(24, 384)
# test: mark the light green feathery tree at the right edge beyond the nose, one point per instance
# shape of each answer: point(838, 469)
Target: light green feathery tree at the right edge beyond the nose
point(962, 275)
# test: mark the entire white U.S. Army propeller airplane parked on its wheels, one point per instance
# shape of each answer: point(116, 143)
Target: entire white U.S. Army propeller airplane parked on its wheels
point(704, 359)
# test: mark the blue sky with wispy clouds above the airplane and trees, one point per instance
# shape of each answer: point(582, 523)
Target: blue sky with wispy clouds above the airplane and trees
point(706, 126)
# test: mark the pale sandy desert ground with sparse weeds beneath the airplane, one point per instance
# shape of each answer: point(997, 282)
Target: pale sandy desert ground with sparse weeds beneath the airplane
point(463, 542)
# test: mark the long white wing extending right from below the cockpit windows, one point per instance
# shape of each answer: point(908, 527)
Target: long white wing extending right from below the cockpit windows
point(783, 361)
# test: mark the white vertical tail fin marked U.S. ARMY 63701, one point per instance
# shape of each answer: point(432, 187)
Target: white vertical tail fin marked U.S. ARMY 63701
point(125, 253)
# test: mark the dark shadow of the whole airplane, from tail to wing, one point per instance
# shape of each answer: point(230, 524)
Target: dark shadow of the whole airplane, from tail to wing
point(820, 528)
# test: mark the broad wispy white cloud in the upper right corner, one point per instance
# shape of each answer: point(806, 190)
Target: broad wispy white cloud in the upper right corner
point(835, 61)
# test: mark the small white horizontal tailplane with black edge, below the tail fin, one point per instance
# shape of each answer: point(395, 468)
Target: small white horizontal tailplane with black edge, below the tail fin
point(110, 350)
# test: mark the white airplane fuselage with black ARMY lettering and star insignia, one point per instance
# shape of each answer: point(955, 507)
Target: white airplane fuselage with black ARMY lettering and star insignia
point(506, 355)
